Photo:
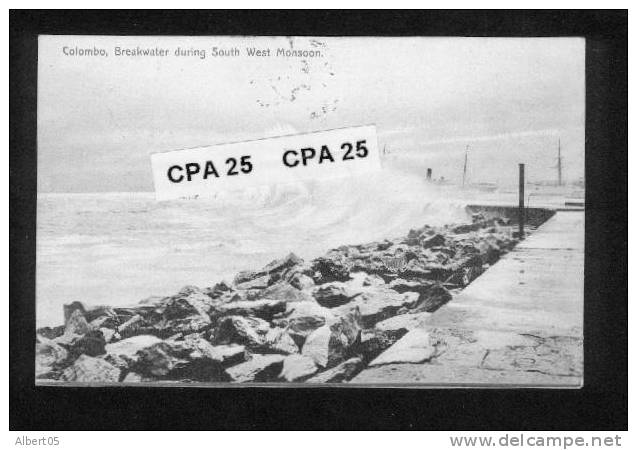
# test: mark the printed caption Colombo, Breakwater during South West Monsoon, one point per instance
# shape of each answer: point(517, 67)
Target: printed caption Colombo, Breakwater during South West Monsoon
point(203, 52)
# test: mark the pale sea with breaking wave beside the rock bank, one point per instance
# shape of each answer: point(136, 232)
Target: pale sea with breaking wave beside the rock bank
point(119, 248)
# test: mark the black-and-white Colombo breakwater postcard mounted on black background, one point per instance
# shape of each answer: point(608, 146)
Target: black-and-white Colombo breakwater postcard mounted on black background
point(397, 211)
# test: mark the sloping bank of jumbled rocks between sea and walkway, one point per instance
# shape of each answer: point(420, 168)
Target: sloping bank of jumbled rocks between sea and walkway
point(316, 321)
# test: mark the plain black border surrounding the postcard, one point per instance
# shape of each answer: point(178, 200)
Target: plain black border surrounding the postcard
point(601, 405)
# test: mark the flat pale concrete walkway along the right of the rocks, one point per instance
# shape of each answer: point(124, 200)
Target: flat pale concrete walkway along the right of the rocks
point(520, 323)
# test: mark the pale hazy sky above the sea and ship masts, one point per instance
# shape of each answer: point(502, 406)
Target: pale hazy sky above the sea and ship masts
point(99, 118)
